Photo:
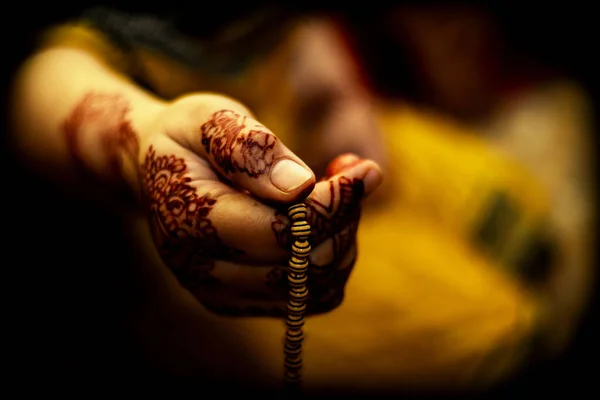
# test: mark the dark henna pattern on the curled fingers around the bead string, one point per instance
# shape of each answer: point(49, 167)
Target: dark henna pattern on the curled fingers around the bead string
point(336, 219)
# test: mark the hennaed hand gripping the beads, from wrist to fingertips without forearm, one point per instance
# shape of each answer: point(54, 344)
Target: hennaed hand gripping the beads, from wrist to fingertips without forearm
point(216, 185)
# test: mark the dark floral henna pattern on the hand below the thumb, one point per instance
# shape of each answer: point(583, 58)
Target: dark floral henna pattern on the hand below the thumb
point(184, 234)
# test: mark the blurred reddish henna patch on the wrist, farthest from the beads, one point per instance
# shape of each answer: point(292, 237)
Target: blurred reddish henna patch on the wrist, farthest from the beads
point(106, 117)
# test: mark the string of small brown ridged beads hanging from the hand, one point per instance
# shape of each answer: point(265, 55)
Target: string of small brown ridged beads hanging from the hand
point(298, 294)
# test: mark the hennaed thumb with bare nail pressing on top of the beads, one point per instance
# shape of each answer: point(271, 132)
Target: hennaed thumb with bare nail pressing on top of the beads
point(242, 150)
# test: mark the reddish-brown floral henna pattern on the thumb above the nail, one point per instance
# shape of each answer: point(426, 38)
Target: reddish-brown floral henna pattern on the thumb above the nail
point(236, 149)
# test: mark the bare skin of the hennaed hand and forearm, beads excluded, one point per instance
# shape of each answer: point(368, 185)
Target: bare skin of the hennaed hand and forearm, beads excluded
point(199, 168)
